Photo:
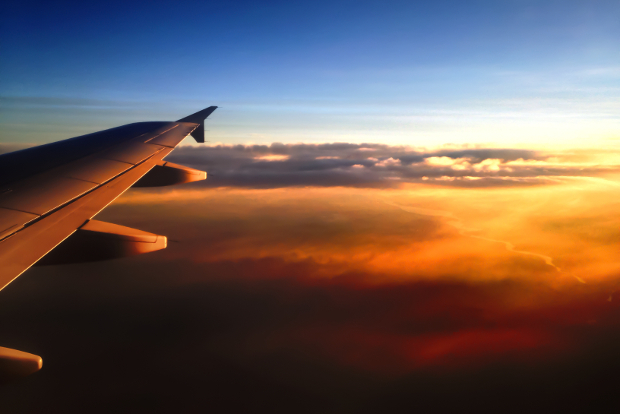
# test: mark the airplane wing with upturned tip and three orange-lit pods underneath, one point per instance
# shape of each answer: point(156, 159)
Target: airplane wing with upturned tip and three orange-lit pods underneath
point(50, 194)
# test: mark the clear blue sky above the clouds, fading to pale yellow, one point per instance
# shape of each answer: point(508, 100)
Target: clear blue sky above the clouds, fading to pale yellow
point(509, 73)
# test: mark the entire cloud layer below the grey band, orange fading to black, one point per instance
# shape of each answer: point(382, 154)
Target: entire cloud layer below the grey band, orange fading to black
point(306, 300)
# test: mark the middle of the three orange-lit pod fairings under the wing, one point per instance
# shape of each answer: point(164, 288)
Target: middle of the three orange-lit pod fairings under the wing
point(98, 240)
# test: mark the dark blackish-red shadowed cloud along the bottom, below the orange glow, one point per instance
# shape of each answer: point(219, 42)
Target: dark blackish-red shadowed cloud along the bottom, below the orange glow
point(265, 336)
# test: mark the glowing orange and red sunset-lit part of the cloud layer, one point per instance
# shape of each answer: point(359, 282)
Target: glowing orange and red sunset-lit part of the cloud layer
point(449, 276)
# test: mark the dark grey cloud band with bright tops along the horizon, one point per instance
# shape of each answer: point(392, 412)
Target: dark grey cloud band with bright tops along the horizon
point(374, 165)
